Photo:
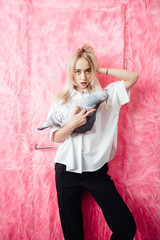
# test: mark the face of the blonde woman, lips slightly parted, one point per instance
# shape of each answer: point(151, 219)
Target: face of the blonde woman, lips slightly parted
point(82, 74)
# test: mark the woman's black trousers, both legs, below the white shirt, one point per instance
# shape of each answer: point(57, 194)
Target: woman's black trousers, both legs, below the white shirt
point(70, 187)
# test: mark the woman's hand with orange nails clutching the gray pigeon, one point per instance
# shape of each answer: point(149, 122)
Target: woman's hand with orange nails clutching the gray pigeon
point(79, 119)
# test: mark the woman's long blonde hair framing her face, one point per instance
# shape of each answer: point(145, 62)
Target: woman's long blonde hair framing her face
point(86, 52)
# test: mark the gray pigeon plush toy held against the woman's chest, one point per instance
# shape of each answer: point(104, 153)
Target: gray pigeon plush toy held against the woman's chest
point(62, 115)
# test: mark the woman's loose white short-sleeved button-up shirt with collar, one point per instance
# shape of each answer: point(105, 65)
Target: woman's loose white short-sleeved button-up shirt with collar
point(89, 151)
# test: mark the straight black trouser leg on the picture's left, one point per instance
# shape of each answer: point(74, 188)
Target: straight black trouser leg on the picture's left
point(69, 194)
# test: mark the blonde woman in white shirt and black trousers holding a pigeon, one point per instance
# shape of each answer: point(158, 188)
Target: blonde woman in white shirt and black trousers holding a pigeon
point(82, 159)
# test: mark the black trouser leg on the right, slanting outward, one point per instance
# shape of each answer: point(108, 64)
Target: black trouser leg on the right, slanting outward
point(115, 211)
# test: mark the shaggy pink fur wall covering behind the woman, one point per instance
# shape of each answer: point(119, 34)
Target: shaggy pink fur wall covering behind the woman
point(37, 37)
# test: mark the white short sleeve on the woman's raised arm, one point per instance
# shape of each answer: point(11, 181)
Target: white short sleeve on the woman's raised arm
point(121, 93)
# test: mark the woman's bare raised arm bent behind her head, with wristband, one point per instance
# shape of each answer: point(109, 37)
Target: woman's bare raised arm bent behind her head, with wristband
point(129, 77)
